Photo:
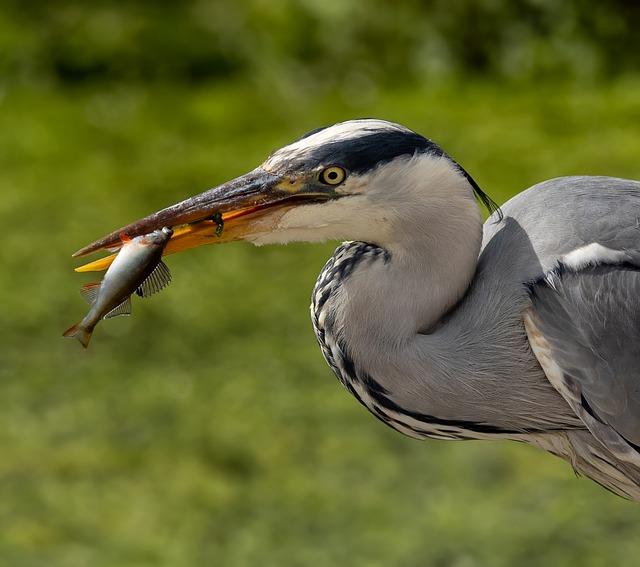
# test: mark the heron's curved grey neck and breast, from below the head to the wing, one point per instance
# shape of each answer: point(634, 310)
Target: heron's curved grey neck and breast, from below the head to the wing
point(423, 344)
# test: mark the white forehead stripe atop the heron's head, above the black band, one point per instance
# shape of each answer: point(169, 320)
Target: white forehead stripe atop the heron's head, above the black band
point(338, 132)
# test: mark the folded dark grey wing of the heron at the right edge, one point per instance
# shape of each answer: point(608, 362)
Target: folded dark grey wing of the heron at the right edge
point(584, 327)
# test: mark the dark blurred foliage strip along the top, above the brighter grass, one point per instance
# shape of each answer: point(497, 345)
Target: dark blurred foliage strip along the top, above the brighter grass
point(317, 43)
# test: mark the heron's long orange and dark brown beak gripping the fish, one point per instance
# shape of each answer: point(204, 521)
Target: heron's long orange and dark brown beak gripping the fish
point(232, 211)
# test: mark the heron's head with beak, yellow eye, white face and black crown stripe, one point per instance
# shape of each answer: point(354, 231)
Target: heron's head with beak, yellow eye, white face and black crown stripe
point(356, 180)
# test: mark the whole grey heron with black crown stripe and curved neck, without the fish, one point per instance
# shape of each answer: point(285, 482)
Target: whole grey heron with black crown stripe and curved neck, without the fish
point(525, 328)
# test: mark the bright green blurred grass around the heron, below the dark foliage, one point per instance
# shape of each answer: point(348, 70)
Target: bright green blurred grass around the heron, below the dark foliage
point(207, 429)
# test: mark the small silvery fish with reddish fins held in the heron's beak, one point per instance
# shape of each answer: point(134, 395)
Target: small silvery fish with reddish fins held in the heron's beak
point(138, 268)
